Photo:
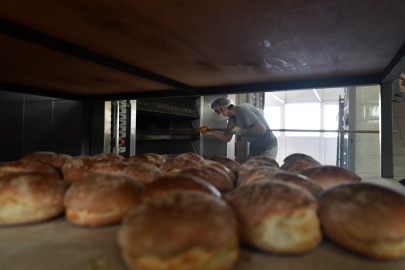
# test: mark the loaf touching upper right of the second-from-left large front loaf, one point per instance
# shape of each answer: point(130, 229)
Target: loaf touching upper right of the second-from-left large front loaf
point(144, 172)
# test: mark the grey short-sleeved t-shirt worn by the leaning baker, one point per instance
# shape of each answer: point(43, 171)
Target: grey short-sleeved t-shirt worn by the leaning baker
point(246, 115)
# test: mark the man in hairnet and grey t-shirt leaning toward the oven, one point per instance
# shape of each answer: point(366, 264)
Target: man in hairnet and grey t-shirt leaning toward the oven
point(244, 119)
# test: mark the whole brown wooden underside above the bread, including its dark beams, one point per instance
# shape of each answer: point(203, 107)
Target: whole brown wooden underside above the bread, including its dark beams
point(159, 48)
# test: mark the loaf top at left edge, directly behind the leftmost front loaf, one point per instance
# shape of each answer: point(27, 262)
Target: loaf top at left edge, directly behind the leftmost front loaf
point(28, 166)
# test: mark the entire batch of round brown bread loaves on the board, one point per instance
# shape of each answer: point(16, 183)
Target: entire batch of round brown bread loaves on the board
point(193, 213)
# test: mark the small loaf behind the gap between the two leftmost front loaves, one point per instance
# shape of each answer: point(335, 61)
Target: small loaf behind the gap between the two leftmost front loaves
point(73, 169)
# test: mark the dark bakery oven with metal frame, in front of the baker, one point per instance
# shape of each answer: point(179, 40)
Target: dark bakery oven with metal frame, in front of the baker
point(166, 126)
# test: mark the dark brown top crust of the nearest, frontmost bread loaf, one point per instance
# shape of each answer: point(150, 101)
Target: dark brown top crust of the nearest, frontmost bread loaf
point(169, 224)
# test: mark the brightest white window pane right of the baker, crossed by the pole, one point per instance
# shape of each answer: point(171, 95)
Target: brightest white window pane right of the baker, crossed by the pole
point(302, 116)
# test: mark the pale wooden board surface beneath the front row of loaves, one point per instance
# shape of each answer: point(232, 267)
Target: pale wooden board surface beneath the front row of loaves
point(59, 245)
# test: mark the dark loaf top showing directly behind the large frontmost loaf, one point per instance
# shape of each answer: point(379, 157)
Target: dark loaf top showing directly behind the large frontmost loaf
point(178, 183)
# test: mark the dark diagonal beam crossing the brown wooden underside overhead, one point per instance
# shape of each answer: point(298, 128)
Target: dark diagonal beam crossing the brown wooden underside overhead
point(30, 35)
